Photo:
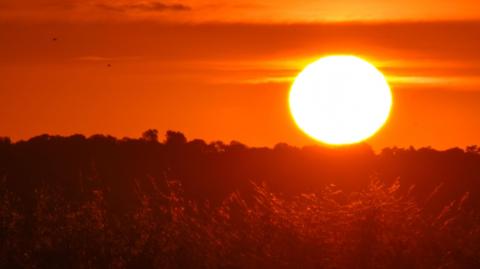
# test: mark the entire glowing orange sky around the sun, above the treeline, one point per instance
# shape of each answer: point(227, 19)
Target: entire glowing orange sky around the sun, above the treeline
point(221, 70)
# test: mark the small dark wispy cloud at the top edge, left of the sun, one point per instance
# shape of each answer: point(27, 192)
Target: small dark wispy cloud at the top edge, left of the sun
point(153, 6)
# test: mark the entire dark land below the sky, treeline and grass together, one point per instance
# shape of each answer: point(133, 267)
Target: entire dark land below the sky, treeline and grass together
point(99, 202)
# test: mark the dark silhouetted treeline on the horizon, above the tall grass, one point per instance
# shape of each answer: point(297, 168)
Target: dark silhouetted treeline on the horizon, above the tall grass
point(212, 170)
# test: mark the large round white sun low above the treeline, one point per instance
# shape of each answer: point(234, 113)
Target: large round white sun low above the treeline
point(340, 100)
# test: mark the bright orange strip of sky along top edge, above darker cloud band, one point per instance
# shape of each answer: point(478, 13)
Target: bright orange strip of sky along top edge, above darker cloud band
point(239, 10)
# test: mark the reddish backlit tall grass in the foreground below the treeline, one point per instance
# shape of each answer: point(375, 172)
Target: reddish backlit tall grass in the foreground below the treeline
point(375, 228)
